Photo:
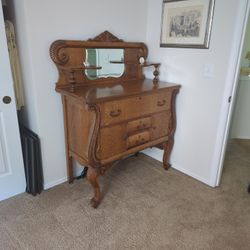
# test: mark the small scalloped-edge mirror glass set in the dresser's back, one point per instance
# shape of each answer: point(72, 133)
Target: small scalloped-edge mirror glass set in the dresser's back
point(104, 63)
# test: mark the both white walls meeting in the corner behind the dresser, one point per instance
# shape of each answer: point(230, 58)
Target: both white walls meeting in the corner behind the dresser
point(199, 103)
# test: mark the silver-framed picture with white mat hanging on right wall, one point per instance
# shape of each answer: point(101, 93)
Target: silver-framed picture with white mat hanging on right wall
point(186, 23)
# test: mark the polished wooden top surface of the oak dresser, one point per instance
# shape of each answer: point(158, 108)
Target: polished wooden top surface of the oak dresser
point(95, 93)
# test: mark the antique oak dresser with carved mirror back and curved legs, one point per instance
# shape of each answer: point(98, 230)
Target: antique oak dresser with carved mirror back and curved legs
point(110, 109)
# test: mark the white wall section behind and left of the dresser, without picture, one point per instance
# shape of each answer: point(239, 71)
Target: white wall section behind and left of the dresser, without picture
point(38, 24)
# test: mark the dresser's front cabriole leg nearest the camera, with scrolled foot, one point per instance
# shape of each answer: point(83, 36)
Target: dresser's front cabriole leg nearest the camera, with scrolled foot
point(93, 176)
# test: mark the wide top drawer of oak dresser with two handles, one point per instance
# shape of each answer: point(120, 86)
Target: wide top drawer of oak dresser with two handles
point(133, 107)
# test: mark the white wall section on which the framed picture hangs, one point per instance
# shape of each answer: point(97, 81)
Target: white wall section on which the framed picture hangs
point(201, 98)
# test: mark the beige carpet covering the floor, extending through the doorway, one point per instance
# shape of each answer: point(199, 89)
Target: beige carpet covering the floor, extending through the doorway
point(144, 207)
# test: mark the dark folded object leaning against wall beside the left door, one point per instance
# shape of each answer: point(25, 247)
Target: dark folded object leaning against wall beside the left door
point(32, 161)
